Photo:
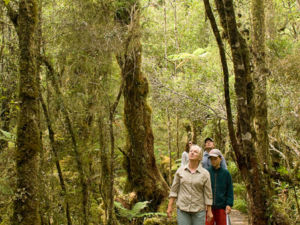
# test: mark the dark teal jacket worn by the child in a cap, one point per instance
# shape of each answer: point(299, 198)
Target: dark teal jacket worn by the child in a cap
point(221, 186)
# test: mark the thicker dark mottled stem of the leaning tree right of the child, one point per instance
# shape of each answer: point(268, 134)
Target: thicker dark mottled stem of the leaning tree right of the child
point(246, 154)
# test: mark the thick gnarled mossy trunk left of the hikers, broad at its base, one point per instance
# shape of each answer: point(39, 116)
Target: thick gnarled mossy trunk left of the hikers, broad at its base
point(143, 175)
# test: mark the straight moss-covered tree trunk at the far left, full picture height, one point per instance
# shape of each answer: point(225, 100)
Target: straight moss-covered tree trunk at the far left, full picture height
point(28, 136)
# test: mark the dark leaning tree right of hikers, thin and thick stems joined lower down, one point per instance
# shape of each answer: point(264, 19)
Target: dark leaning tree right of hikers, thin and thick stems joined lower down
point(243, 142)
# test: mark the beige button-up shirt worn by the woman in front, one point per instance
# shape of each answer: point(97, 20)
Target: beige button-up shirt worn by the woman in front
point(192, 190)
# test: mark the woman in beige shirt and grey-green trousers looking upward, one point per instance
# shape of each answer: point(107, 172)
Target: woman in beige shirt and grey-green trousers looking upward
point(191, 189)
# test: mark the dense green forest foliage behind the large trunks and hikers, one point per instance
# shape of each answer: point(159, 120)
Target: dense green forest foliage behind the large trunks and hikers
point(80, 78)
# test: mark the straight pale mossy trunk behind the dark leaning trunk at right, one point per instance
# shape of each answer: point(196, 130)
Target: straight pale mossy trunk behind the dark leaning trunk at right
point(260, 81)
